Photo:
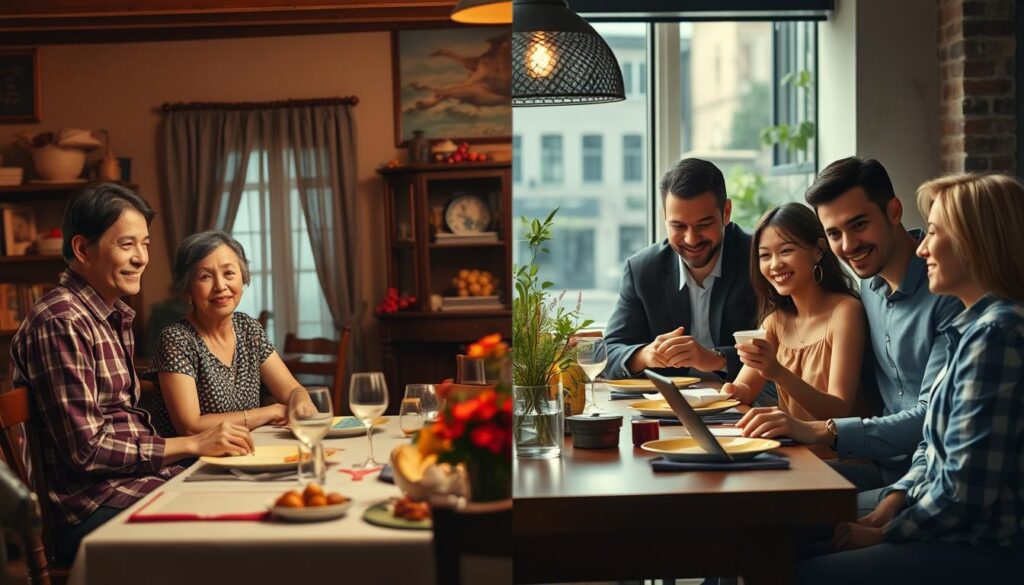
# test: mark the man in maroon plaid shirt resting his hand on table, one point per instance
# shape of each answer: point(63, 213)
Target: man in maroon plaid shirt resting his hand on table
point(75, 350)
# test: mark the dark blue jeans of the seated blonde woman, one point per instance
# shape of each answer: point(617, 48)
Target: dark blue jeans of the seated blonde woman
point(930, 562)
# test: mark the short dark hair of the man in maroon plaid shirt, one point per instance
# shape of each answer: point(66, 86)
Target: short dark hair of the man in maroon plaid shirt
point(95, 208)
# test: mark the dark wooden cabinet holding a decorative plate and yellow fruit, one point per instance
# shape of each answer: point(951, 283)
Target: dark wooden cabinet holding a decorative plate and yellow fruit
point(420, 345)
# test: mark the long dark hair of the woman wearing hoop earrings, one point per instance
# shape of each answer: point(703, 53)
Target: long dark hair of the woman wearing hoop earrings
point(797, 224)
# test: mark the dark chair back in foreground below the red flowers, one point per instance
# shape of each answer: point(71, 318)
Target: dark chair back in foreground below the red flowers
point(470, 529)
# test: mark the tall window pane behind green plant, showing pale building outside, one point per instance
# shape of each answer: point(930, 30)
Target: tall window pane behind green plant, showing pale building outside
point(595, 200)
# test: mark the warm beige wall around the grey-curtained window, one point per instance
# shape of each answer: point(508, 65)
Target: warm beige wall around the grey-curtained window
point(120, 87)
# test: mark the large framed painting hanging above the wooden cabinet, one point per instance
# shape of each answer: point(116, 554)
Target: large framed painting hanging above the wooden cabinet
point(453, 83)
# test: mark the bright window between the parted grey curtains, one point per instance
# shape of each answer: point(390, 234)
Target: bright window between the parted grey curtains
point(287, 252)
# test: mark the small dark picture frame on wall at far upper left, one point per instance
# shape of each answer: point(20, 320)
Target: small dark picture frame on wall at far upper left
point(21, 87)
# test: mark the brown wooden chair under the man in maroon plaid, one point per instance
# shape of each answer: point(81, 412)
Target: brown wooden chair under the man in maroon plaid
point(21, 449)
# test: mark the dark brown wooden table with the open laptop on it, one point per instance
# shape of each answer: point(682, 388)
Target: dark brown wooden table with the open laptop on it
point(604, 515)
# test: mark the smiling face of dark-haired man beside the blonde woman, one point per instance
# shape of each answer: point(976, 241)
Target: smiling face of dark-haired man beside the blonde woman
point(860, 233)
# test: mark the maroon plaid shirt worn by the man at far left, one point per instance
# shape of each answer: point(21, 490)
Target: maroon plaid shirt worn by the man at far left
point(74, 352)
